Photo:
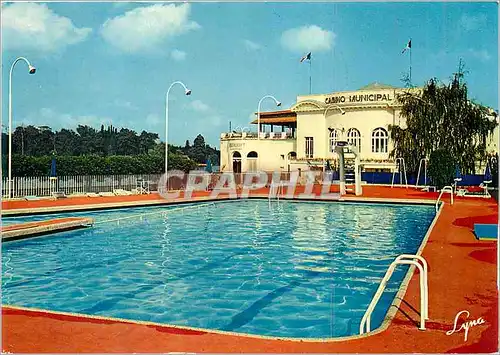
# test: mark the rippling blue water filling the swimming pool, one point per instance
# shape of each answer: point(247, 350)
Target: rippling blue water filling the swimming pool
point(297, 269)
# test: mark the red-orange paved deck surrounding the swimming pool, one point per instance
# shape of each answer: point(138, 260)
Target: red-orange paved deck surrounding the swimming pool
point(462, 277)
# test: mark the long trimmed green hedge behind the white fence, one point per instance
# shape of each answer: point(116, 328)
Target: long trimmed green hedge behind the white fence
point(23, 165)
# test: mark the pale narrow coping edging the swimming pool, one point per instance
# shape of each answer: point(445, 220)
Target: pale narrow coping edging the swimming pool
point(388, 318)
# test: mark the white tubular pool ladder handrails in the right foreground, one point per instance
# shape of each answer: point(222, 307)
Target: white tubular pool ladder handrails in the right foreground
point(403, 259)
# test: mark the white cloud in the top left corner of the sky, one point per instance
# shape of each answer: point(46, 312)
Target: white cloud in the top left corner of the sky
point(33, 26)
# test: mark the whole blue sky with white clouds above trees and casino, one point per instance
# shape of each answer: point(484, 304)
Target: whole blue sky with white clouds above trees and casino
point(113, 62)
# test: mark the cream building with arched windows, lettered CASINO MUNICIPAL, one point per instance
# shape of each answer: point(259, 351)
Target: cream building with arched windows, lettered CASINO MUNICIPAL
point(303, 137)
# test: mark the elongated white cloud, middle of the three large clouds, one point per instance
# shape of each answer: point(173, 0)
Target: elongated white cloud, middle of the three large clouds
point(148, 28)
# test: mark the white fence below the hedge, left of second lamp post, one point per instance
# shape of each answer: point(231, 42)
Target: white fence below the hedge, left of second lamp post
point(45, 186)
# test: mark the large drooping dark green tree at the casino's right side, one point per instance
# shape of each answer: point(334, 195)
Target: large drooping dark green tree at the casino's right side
point(442, 117)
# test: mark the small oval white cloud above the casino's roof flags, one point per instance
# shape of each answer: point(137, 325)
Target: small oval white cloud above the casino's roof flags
point(307, 39)
